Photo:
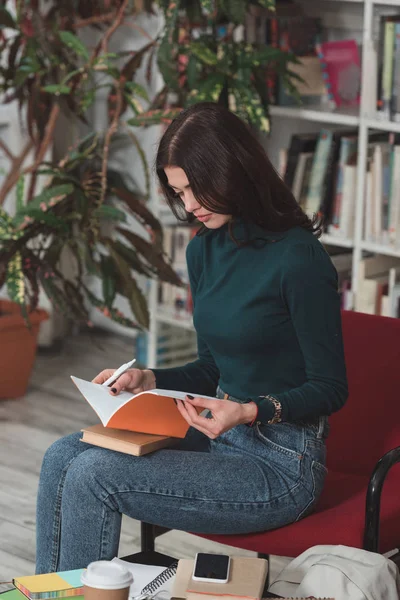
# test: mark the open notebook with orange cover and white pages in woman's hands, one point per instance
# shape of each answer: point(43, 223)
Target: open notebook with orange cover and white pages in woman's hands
point(154, 411)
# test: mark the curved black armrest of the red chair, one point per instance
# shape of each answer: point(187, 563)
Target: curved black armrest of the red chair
point(373, 500)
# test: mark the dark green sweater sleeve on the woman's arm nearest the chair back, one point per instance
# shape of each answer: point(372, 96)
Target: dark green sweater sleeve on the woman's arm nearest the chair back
point(309, 289)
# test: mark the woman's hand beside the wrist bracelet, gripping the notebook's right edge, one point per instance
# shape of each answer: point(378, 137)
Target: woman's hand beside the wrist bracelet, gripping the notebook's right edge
point(225, 414)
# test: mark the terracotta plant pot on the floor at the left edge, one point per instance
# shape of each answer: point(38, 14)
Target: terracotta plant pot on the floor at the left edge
point(17, 348)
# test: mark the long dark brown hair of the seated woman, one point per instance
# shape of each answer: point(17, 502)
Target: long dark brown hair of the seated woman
point(228, 171)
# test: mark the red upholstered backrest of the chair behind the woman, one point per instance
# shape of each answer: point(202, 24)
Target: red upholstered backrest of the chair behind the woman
point(369, 423)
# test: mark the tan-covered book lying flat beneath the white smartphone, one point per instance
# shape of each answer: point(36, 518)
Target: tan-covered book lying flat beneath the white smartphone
point(247, 577)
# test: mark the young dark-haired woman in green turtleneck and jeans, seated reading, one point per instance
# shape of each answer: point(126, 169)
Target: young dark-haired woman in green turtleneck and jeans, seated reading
point(267, 316)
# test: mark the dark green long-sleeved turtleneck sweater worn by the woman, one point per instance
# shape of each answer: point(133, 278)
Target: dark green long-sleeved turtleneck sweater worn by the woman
point(267, 317)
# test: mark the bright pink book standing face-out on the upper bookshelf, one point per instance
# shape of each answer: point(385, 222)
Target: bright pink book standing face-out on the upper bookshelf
point(341, 71)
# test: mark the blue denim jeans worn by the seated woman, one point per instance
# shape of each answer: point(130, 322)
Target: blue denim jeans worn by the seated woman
point(247, 480)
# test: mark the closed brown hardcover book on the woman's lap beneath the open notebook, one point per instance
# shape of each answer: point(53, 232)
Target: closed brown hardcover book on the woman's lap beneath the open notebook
point(128, 442)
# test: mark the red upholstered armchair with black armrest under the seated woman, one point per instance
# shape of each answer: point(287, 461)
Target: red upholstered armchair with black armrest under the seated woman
point(360, 504)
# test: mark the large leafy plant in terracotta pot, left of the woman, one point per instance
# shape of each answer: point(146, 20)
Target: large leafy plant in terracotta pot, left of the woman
point(82, 208)
